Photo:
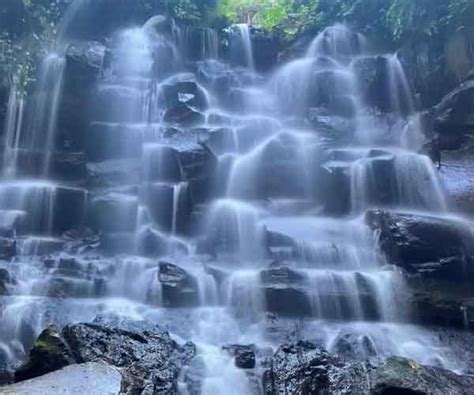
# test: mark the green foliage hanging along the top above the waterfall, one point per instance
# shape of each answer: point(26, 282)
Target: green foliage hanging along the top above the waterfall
point(29, 26)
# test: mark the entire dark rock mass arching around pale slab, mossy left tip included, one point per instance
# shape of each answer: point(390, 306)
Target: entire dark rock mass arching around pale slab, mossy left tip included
point(149, 362)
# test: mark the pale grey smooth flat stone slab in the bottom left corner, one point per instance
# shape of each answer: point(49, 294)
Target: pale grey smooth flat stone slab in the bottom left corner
point(87, 378)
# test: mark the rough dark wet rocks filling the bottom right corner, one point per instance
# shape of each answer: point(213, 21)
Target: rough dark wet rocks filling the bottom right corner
point(302, 368)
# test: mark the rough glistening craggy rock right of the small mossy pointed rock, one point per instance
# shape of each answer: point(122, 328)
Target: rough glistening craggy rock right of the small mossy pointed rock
point(150, 362)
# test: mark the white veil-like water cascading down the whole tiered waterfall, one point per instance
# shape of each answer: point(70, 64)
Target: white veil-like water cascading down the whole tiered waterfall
point(221, 198)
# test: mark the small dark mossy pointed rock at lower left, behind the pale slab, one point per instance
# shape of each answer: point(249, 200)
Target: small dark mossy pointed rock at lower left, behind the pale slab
point(48, 354)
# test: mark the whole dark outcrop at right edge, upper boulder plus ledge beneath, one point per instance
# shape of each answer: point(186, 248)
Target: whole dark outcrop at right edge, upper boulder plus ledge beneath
point(436, 255)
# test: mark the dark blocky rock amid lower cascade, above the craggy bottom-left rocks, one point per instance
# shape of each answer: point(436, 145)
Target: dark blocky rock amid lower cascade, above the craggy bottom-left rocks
point(178, 287)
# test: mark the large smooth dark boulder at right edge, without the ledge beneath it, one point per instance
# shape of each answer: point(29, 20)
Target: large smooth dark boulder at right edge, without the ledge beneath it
point(427, 245)
